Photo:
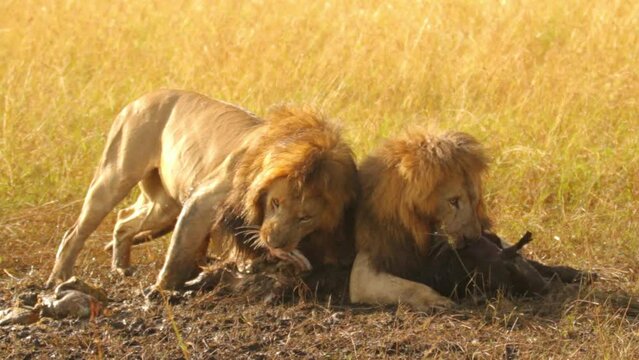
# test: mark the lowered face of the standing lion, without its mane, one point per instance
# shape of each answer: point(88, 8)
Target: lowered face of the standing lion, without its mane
point(289, 215)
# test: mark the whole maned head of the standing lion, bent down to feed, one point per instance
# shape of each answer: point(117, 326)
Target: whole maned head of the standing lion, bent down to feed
point(294, 184)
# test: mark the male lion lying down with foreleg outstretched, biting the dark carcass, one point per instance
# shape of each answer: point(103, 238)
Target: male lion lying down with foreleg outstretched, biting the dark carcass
point(414, 189)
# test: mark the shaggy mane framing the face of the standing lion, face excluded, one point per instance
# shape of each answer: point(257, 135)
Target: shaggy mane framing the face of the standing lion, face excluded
point(302, 145)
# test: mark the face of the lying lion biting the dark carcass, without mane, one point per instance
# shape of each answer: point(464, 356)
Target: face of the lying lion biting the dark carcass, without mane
point(456, 201)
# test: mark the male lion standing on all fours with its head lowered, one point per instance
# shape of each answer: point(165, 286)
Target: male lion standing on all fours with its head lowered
point(203, 164)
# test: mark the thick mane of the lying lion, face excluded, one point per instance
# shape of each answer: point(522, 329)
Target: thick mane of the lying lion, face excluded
point(395, 217)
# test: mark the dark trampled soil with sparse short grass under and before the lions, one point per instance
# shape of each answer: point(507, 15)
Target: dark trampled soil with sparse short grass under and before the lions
point(574, 321)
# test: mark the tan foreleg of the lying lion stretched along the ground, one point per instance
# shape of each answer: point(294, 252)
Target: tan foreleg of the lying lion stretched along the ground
point(369, 286)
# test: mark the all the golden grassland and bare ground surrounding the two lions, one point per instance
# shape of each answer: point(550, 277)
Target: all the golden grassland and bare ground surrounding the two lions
point(551, 88)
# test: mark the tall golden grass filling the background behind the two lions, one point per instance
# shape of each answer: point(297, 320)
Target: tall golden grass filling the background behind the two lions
point(552, 88)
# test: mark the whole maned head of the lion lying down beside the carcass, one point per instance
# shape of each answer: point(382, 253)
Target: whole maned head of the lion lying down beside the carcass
point(421, 185)
